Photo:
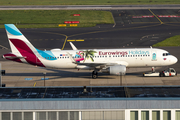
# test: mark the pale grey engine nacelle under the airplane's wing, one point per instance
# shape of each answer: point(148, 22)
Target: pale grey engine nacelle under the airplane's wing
point(115, 70)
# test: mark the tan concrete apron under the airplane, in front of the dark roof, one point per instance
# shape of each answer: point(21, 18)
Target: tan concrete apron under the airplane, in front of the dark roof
point(16, 74)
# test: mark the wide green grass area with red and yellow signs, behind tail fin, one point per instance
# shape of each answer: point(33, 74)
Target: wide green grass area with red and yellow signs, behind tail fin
point(52, 18)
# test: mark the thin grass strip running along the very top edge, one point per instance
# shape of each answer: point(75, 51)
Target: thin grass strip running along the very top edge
point(86, 2)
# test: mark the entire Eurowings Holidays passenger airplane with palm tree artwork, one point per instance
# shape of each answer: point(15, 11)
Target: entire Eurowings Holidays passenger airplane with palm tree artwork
point(112, 61)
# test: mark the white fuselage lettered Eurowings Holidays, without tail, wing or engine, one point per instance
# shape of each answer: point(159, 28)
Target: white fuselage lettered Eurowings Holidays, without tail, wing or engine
point(138, 57)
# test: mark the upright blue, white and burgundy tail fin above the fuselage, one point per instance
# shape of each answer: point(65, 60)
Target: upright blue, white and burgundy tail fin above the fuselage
point(18, 42)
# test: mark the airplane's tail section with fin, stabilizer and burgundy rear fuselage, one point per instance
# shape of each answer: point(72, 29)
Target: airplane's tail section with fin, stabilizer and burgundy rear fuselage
point(21, 48)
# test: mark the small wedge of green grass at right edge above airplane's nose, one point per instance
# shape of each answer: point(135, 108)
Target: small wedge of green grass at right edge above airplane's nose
point(172, 41)
